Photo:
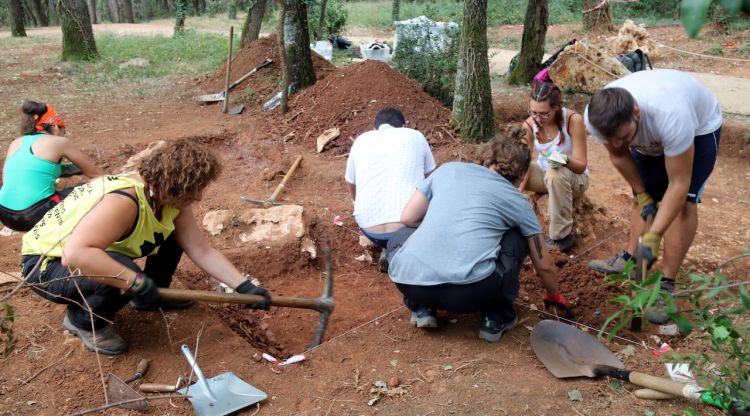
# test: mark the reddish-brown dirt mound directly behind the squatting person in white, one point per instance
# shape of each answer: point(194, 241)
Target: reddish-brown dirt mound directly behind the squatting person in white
point(349, 99)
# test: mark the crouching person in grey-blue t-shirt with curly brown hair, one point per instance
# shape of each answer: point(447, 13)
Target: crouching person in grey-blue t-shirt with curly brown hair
point(474, 230)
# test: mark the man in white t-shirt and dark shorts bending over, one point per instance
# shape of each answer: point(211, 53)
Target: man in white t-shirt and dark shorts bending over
point(662, 130)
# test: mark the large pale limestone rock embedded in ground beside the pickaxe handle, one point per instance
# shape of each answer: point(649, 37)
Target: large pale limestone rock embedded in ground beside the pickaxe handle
point(281, 223)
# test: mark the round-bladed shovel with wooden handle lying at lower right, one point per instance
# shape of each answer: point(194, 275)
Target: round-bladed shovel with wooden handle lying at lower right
point(567, 352)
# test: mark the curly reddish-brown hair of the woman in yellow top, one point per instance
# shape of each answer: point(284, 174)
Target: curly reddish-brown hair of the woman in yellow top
point(179, 171)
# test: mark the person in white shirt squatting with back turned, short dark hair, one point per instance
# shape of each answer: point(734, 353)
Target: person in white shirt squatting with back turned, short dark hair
point(383, 170)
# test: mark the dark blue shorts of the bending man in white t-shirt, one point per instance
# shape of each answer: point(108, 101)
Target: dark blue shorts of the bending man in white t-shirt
point(653, 170)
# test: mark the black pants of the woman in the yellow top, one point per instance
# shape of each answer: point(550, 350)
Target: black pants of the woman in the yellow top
point(104, 300)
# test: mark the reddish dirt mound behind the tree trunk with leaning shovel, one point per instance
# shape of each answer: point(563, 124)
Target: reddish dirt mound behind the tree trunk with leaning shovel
point(265, 83)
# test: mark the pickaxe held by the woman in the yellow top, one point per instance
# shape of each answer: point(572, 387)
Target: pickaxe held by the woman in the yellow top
point(323, 304)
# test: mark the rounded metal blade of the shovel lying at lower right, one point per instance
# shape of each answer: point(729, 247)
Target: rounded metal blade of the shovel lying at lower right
point(566, 351)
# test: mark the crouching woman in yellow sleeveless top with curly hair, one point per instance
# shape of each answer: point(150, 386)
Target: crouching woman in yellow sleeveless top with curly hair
point(102, 226)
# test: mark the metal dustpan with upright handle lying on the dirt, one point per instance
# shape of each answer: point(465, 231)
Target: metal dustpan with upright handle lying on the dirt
point(220, 395)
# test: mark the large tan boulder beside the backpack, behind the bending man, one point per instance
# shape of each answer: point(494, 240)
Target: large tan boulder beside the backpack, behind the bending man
point(585, 67)
